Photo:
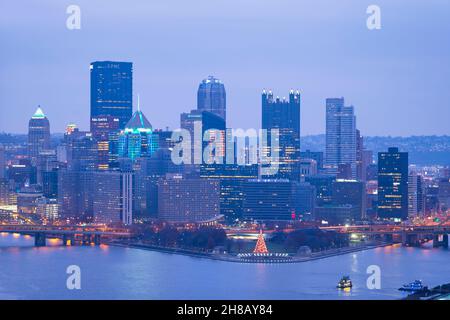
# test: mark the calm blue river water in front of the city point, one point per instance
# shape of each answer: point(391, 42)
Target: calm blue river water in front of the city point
point(109, 272)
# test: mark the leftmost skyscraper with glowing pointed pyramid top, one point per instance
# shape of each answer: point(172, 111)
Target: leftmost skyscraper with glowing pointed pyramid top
point(38, 134)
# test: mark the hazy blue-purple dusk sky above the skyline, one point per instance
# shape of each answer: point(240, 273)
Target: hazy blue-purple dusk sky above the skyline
point(398, 78)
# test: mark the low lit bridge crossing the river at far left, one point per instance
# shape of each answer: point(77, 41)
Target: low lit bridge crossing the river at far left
point(70, 235)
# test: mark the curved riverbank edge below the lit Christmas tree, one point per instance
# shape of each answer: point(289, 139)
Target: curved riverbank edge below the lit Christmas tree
point(234, 258)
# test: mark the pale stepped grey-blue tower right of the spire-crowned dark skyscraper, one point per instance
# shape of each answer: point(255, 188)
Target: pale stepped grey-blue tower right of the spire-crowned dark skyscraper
point(340, 136)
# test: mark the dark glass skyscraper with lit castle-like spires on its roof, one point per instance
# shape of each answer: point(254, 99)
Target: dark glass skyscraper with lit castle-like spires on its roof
point(284, 115)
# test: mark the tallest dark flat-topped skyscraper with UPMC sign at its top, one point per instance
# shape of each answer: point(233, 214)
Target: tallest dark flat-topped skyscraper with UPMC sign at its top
point(111, 92)
